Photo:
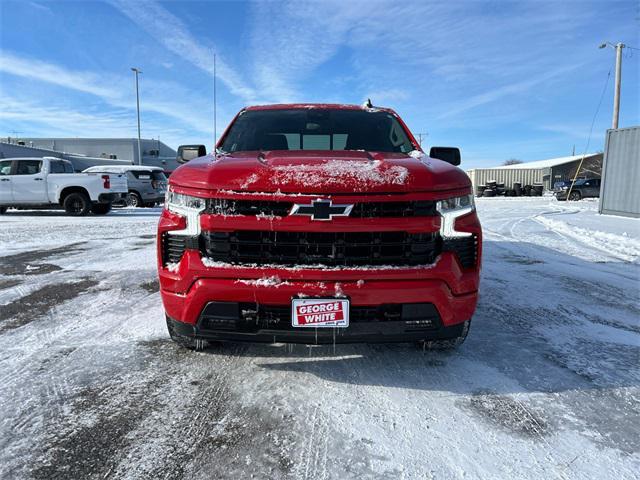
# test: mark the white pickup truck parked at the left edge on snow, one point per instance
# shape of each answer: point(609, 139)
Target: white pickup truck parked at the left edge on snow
point(43, 182)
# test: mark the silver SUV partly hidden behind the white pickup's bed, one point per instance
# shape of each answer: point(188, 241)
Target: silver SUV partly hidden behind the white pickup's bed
point(147, 185)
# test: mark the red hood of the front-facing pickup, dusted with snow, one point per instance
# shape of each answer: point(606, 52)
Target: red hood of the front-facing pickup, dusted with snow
point(320, 172)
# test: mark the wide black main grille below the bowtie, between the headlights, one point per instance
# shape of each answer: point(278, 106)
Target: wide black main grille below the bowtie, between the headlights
point(325, 248)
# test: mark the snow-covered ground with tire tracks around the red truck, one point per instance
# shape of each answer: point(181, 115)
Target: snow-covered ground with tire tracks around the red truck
point(546, 386)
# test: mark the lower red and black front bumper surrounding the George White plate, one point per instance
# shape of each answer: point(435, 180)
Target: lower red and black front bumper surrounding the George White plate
point(450, 310)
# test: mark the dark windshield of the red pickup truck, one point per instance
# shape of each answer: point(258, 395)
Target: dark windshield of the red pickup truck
point(316, 129)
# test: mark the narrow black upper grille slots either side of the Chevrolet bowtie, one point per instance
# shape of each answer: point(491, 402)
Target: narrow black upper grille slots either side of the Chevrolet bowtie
point(421, 208)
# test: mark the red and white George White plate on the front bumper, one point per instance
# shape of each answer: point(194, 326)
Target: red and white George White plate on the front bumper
point(329, 312)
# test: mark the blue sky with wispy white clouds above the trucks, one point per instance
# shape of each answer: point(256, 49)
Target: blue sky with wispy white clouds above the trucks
point(498, 79)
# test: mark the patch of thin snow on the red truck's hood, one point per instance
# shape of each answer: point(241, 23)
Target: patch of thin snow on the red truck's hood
point(337, 172)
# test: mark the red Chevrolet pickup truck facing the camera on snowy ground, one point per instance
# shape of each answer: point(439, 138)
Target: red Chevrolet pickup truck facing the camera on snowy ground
point(319, 224)
